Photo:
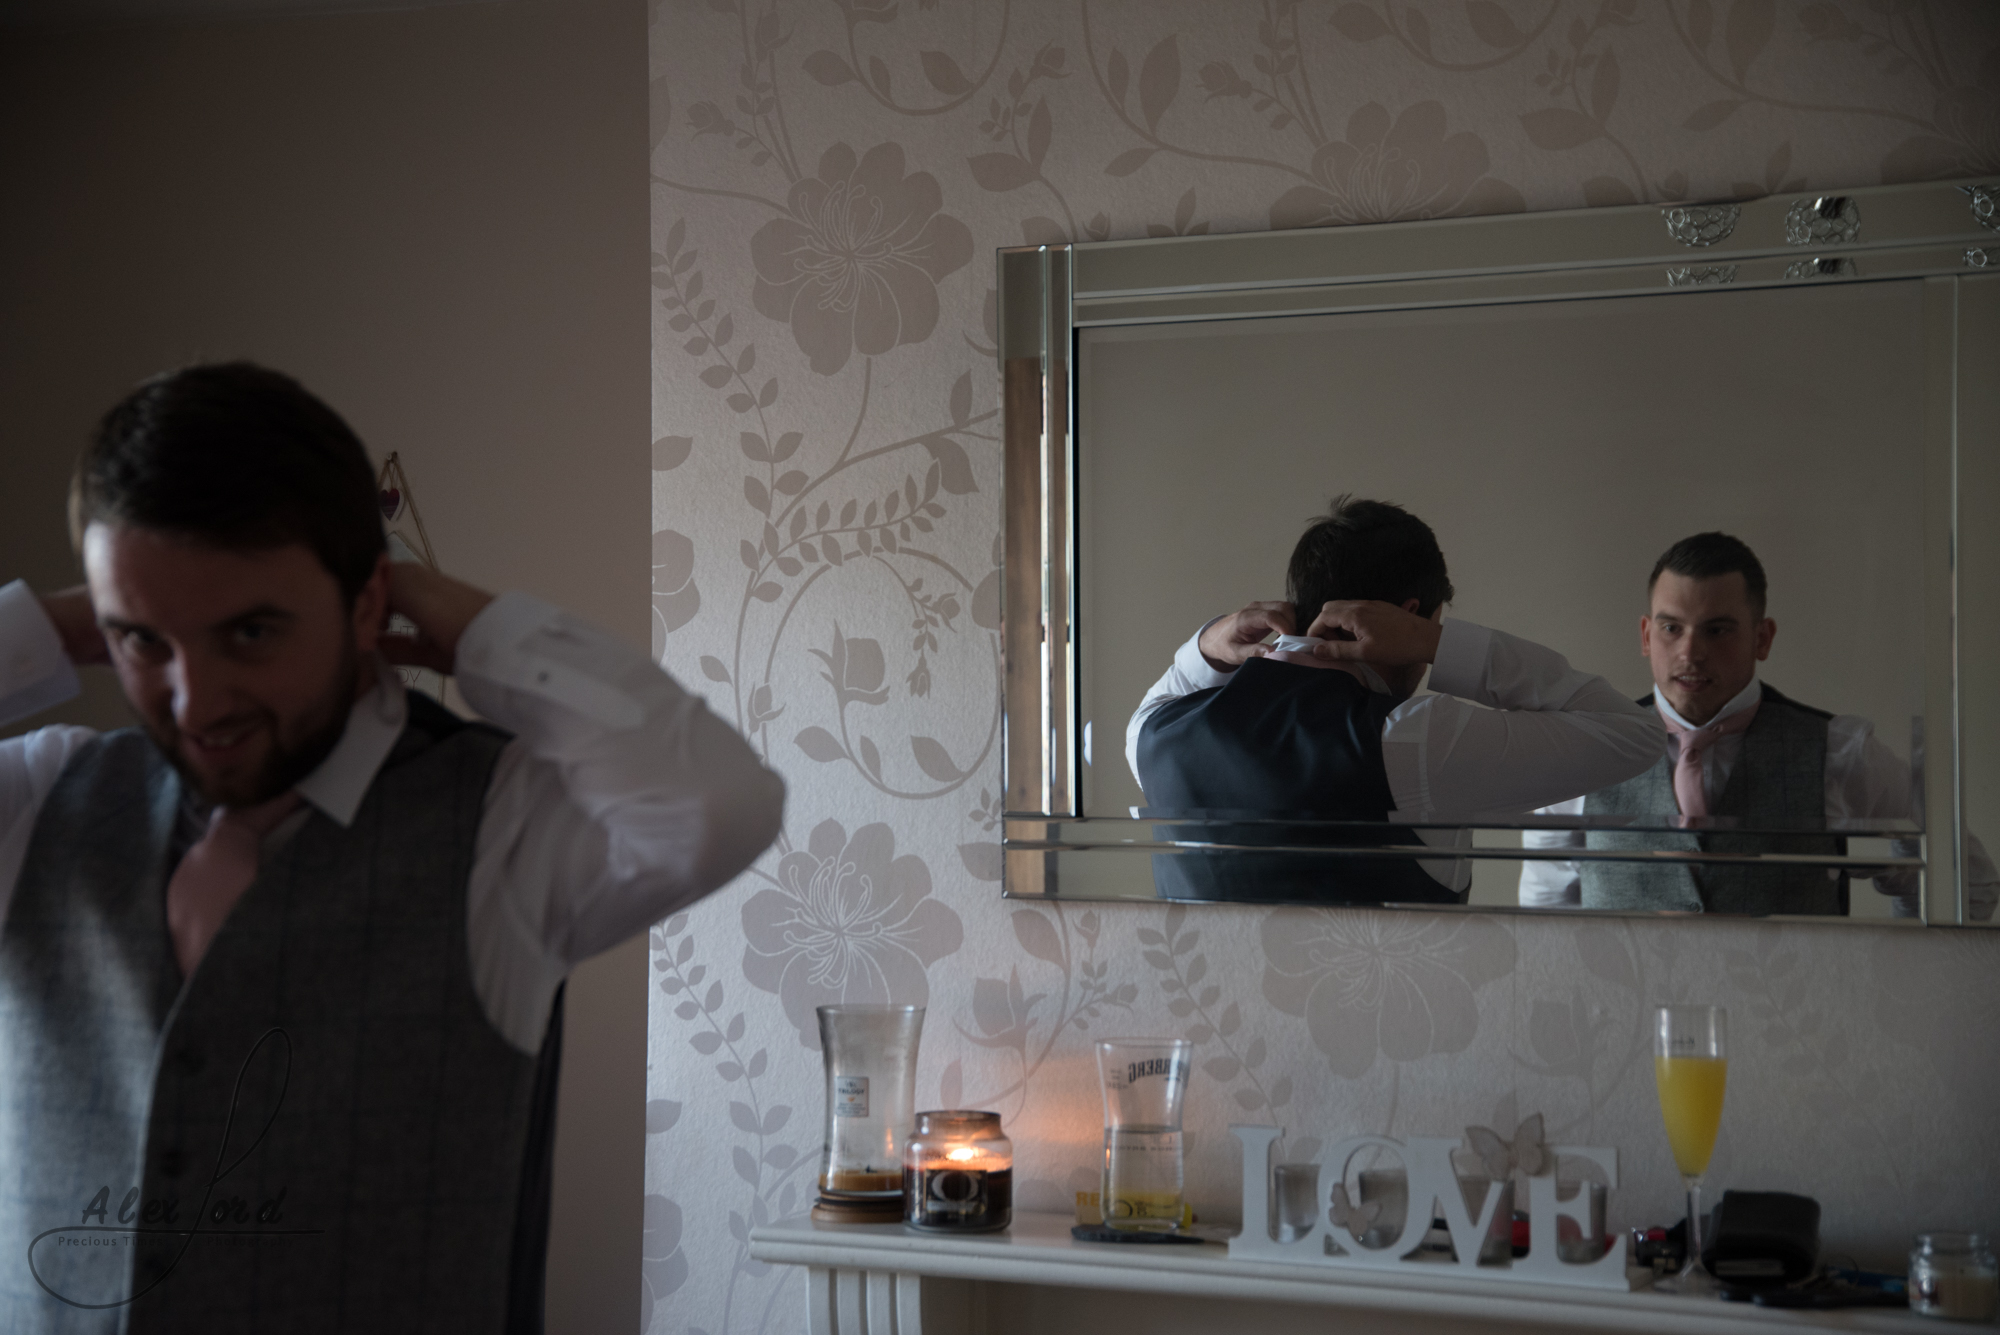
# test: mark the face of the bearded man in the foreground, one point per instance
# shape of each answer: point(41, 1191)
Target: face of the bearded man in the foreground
point(241, 665)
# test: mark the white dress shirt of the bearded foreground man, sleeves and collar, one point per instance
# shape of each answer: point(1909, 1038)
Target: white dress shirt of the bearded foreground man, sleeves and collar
point(597, 818)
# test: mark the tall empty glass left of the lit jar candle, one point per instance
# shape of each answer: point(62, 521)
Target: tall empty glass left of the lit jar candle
point(871, 1098)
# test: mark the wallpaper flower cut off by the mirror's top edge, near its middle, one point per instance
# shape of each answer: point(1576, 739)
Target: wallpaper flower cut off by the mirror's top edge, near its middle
point(1393, 171)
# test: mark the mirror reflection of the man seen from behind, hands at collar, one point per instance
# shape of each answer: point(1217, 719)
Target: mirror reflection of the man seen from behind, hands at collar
point(1329, 726)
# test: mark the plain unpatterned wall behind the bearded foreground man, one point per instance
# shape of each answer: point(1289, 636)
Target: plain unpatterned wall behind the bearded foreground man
point(435, 219)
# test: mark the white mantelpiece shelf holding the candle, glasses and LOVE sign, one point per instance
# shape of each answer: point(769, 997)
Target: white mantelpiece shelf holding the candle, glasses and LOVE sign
point(1035, 1278)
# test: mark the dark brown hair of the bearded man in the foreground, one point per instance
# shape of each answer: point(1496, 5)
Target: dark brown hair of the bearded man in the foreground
point(235, 457)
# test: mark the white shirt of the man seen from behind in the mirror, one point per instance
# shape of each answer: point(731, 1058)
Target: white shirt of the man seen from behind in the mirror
point(1509, 728)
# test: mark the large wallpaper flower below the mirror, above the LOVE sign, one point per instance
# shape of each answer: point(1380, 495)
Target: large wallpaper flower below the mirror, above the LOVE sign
point(1383, 984)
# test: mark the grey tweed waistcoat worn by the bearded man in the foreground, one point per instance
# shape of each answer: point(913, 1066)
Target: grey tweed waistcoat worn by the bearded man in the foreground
point(319, 1130)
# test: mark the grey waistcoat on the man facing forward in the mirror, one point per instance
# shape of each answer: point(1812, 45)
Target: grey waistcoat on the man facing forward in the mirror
point(1779, 782)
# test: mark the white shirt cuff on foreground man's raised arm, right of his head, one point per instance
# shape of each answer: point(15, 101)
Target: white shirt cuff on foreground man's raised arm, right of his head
point(503, 647)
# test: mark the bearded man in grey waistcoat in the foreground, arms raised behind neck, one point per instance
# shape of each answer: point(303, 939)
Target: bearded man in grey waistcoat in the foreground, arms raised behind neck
point(281, 966)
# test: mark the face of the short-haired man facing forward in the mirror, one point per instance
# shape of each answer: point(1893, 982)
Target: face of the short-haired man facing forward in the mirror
point(1705, 641)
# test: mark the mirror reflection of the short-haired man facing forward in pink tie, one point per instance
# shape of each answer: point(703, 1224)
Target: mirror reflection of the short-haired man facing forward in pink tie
point(1739, 750)
